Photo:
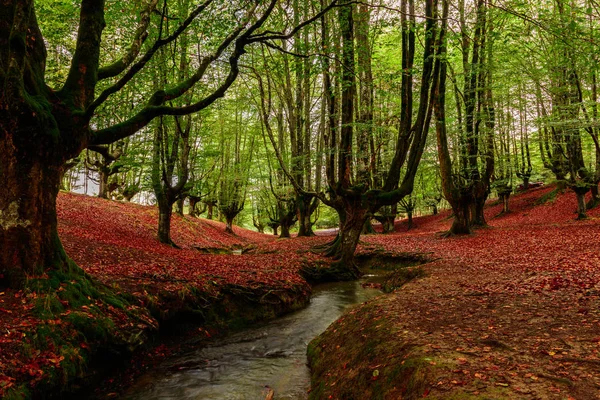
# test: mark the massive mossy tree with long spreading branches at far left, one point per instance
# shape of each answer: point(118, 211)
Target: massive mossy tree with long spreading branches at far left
point(41, 127)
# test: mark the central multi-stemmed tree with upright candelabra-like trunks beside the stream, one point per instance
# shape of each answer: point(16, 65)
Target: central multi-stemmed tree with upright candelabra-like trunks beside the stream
point(350, 190)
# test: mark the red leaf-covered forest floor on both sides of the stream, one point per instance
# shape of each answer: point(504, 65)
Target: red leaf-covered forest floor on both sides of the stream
point(511, 311)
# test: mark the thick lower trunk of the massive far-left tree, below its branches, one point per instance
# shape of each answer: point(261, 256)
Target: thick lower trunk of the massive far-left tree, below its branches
point(28, 224)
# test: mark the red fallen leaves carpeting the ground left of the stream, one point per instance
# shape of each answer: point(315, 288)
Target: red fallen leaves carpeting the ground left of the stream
point(116, 244)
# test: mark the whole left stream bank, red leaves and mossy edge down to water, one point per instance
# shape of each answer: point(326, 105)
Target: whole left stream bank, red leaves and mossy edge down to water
point(44, 345)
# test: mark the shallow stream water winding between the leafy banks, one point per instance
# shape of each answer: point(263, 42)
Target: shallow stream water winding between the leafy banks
point(242, 365)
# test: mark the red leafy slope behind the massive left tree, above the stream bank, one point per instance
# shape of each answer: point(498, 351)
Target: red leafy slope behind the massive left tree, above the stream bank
point(116, 242)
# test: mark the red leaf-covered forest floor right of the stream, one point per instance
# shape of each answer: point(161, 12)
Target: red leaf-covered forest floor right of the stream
point(509, 312)
